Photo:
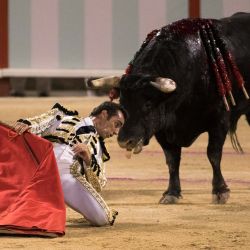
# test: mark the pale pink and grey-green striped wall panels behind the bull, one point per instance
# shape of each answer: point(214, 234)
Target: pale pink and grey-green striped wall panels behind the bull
point(93, 34)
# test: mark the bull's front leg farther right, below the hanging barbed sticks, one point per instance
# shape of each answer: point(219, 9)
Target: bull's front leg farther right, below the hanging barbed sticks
point(220, 189)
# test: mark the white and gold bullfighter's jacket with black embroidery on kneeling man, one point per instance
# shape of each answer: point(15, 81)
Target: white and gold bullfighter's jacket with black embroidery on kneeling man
point(64, 126)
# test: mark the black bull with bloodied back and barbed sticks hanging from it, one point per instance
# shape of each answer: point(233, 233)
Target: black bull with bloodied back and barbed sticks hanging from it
point(208, 60)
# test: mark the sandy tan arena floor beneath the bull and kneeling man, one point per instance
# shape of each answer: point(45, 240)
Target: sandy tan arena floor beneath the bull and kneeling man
point(135, 185)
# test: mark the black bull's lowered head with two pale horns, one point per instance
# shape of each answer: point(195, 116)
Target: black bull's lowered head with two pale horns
point(141, 97)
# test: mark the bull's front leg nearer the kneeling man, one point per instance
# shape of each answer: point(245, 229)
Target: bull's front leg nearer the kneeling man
point(173, 193)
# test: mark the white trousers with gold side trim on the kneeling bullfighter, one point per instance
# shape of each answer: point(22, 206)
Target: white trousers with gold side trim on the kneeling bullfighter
point(81, 197)
